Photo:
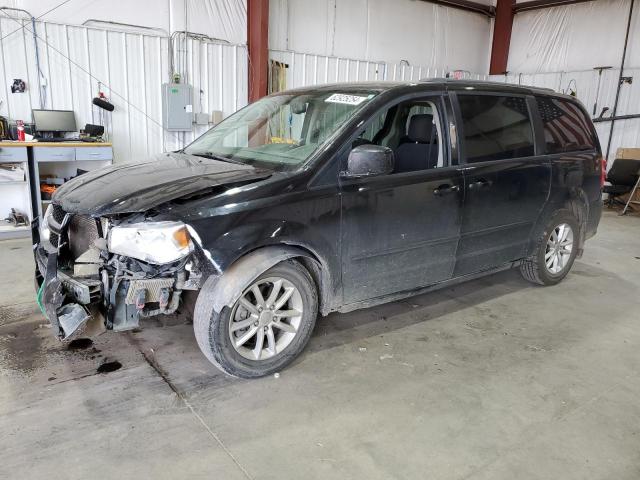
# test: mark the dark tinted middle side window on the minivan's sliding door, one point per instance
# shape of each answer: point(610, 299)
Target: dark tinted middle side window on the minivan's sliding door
point(495, 127)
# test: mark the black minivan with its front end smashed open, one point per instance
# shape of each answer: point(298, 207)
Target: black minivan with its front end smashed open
point(322, 199)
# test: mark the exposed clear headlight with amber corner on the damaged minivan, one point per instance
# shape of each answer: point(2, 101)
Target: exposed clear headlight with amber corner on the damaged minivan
point(153, 242)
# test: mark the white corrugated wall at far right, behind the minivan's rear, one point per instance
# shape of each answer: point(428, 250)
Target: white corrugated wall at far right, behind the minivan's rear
point(626, 133)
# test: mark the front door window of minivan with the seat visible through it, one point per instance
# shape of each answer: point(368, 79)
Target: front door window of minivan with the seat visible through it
point(412, 130)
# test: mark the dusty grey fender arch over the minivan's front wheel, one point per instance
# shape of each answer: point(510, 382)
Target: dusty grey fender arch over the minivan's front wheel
point(226, 288)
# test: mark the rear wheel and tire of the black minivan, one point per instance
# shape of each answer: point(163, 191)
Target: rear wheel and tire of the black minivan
point(555, 251)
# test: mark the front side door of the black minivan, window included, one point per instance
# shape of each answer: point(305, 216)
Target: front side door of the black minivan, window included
point(400, 231)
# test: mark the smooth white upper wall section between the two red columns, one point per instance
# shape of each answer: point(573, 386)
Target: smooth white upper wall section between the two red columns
point(417, 32)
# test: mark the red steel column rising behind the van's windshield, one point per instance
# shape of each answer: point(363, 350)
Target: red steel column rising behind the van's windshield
point(257, 42)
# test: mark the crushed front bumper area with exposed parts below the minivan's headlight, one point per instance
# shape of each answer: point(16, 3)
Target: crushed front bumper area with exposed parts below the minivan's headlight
point(113, 297)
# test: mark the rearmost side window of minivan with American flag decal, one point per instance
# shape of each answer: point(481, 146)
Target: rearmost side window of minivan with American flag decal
point(566, 128)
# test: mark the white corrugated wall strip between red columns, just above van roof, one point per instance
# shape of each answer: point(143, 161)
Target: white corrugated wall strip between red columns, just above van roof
point(310, 69)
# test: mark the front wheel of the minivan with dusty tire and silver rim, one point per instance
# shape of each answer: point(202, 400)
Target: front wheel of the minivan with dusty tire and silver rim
point(267, 327)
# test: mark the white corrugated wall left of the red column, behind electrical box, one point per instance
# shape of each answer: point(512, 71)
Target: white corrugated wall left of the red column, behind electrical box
point(130, 68)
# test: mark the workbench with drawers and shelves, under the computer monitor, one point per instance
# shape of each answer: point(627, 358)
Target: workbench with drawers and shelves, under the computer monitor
point(43, 159)
